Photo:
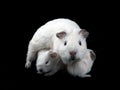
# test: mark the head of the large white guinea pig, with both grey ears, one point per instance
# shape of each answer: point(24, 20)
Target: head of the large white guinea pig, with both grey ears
point(73, 46)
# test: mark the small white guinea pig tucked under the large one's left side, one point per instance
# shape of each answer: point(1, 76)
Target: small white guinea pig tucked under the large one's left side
point(48, 62)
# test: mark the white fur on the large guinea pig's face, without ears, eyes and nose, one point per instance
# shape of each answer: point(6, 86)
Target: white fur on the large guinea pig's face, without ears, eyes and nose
point(72, 45)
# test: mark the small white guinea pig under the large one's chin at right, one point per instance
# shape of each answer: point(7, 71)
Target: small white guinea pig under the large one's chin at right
point(82, 67)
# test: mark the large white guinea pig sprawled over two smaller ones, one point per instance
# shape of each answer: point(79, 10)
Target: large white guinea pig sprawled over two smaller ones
point(63, 36)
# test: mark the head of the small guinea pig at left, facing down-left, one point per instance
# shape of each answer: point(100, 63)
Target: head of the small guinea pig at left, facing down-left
point(46, 62)
